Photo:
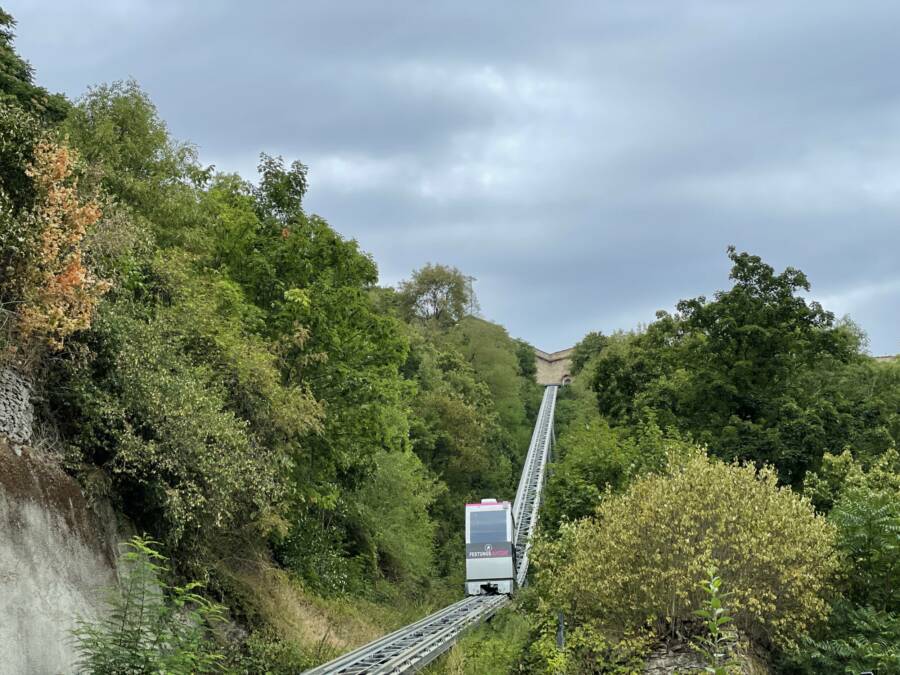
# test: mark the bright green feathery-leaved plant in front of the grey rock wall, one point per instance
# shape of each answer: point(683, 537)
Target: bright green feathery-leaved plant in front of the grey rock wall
point(151, 627)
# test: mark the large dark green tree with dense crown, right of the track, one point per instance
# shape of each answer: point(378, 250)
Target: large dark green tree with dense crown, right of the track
point(747, 373)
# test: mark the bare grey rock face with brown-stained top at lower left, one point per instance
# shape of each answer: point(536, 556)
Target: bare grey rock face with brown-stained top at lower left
point(56, 553)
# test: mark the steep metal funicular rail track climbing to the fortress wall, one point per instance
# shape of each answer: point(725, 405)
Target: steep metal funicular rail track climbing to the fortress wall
point(418, 644)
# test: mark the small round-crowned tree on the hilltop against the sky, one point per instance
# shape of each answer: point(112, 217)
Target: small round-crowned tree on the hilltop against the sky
point(439, 294)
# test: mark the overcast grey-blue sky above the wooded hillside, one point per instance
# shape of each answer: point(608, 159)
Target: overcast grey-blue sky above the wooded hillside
point(587, 162)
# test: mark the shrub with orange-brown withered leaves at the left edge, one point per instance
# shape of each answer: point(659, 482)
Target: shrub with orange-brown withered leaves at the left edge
point(43, 223)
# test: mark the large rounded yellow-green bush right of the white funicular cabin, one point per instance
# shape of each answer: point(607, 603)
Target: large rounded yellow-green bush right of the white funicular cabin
point(639, 560)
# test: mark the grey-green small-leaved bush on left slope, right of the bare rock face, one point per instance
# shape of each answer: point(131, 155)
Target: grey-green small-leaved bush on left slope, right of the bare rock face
point(186, 466)
